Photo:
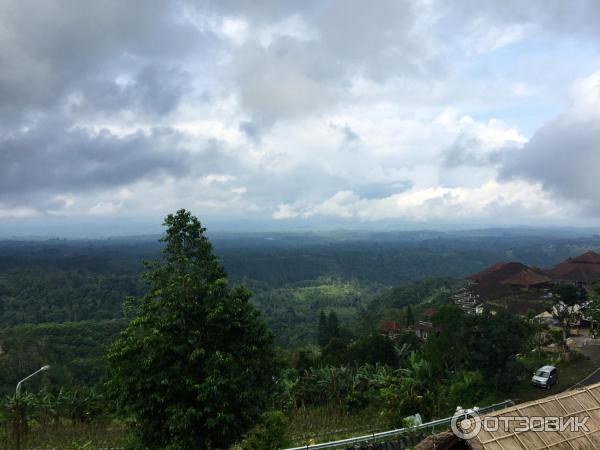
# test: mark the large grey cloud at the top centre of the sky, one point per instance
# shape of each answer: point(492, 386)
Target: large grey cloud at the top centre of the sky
point(308, 60)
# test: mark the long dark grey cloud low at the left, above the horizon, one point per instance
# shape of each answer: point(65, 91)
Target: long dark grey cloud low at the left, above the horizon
point(50, 158)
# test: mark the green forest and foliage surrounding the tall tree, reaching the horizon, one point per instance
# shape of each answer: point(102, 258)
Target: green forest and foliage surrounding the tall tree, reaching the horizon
point(324, 298)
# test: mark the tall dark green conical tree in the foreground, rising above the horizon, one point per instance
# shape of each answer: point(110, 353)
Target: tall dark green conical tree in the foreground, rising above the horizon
point(195, 366)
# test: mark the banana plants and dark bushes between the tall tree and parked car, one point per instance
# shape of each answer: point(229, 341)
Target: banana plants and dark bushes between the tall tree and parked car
point(467, 359)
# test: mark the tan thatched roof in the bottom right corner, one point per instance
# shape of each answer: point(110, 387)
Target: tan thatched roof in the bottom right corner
point(584, 402)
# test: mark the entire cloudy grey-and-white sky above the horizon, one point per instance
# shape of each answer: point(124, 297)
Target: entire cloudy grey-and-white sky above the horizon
point(408, 112)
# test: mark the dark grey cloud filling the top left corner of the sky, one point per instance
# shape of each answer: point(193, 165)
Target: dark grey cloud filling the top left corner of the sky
point(53, 49)
